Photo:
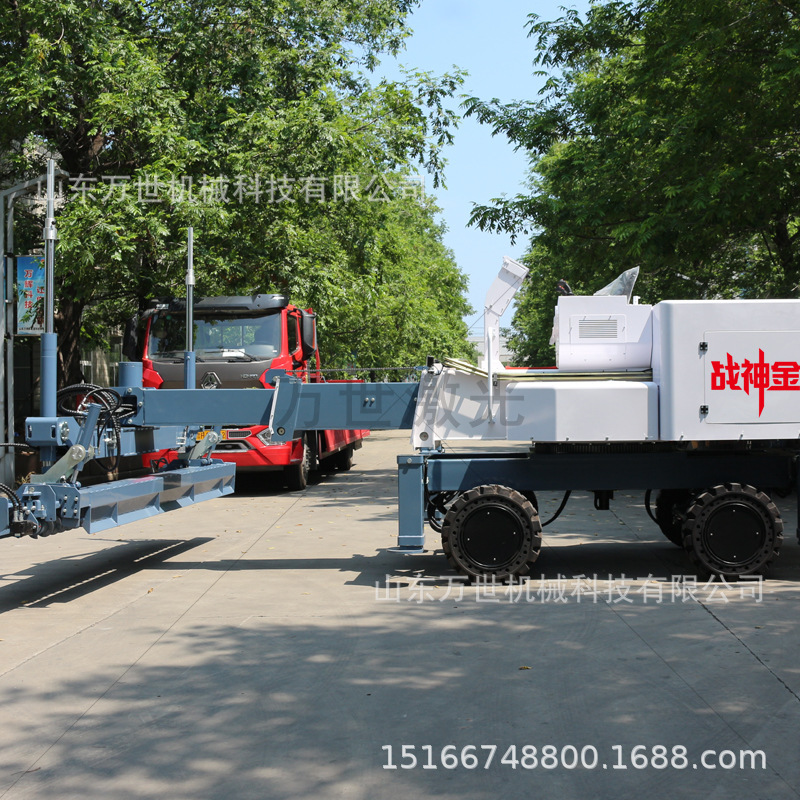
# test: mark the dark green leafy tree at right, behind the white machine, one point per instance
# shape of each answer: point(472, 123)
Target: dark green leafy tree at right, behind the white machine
point(665, 137)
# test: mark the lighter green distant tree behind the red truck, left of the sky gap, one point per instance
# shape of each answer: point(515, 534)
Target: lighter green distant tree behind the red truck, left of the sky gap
point(406, 302)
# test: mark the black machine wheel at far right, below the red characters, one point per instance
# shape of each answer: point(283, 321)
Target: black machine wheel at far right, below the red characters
point(732, 530)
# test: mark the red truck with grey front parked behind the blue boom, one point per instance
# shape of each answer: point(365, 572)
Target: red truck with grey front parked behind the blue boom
point(237, 341)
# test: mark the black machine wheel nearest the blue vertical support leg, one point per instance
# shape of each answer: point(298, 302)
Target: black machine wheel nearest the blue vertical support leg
point(491, 531)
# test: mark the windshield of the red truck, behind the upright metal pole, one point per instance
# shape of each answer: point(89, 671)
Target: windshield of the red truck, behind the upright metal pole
point(229, 337)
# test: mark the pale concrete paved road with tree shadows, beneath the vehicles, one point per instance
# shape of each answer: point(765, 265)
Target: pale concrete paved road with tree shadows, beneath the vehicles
point(240, 649)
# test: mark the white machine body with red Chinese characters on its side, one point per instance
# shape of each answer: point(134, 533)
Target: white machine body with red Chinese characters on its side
point(682, 370)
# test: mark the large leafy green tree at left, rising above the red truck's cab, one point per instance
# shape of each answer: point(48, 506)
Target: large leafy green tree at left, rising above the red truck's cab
point(225, 115)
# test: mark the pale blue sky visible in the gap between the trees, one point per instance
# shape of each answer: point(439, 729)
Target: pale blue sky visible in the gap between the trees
point(489, 40)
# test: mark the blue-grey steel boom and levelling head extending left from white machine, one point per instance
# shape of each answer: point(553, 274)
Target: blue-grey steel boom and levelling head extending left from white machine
point(161, 419)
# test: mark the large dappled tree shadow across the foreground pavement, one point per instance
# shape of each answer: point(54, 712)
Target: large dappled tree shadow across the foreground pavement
point(290, 709)
